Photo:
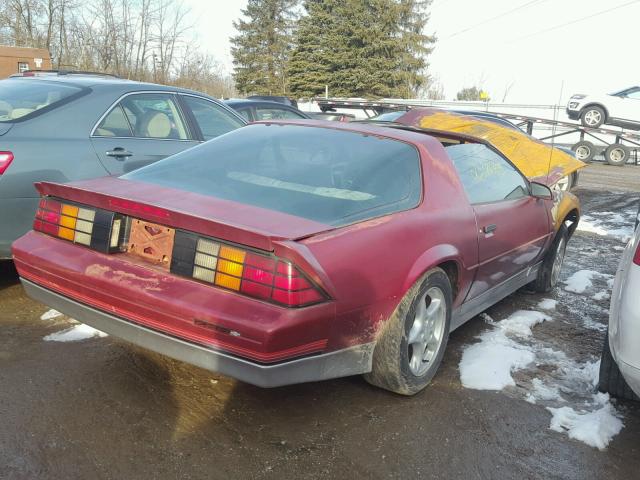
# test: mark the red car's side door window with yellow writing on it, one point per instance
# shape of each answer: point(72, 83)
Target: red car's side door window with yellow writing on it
point(485, 175)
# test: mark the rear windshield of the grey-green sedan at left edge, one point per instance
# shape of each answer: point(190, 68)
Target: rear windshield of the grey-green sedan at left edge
point(22, 98)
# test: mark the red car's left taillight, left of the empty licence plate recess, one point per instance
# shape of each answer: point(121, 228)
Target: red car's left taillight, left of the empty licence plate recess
point(99, 229)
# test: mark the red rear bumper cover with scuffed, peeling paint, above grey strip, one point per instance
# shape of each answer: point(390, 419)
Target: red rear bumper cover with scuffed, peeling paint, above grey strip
point(179, 307)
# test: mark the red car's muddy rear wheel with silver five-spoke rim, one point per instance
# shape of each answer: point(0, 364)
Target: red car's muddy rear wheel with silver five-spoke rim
point(411, 344)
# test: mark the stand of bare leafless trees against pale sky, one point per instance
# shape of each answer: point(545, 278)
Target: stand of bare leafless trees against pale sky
point(137, 39)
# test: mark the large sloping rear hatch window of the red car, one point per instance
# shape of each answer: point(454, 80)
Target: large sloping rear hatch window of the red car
point(330, 176)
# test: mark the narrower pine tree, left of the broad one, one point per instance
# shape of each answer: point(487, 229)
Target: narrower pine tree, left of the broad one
point(262, 47)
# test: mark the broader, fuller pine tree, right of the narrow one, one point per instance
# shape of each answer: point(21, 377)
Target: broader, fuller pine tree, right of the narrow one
point(365, 48)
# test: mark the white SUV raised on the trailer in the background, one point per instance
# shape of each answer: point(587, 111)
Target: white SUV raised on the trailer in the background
point(621, 109)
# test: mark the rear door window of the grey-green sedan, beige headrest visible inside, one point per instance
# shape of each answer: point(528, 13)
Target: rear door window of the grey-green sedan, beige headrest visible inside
point(146, 115)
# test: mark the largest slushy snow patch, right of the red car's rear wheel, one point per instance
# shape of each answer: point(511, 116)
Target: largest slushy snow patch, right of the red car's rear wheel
point(565, 387)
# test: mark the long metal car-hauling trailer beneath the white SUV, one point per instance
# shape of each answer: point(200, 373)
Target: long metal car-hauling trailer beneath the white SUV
point(625, 147)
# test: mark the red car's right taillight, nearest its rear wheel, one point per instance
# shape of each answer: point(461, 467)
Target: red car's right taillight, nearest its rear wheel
point(257, 275)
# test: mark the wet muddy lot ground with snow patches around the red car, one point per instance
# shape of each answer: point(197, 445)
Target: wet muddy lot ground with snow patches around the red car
point(98, 408)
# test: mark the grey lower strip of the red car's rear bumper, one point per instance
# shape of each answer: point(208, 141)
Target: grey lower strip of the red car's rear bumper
point(341, 363)
